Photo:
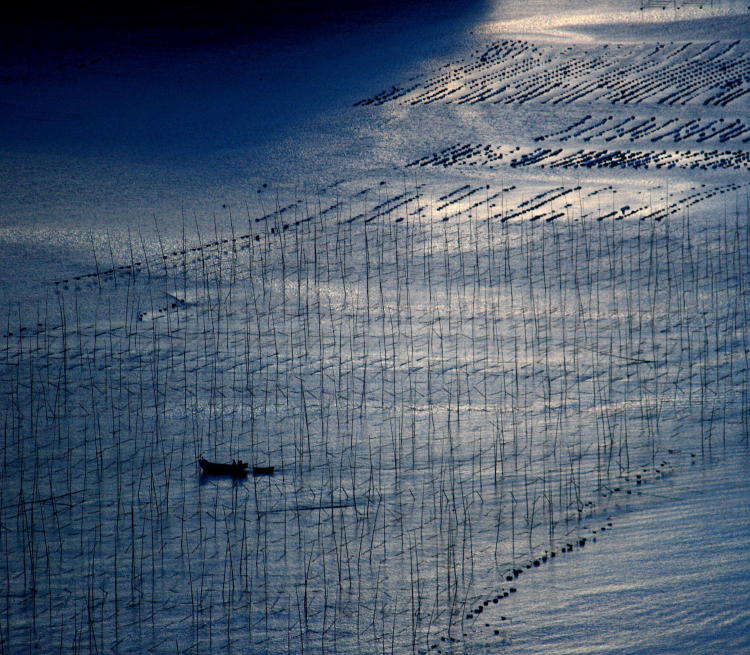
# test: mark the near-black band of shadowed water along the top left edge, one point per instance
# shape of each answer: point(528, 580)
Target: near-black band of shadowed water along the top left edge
point(31, 41)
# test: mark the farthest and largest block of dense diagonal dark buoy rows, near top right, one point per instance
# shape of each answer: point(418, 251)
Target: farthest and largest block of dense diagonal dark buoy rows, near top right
point(626, 75)
